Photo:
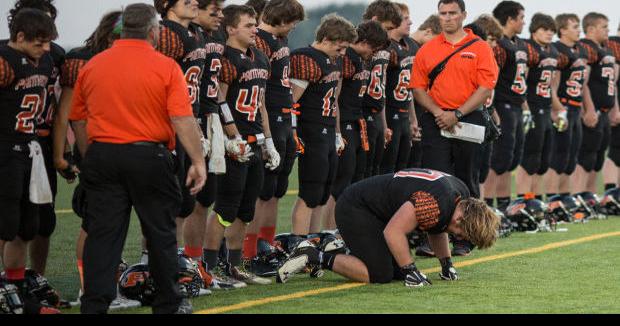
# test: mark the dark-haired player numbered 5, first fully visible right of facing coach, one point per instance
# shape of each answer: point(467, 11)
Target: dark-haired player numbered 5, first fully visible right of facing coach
point(511, 55)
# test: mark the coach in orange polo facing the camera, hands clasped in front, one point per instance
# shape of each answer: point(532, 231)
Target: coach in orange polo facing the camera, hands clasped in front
point(456, 96)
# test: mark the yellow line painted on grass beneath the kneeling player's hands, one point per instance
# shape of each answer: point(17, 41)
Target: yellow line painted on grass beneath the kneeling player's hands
point(297, 295)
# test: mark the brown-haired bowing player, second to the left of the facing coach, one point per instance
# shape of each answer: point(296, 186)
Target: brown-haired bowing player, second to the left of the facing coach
point(388, 15)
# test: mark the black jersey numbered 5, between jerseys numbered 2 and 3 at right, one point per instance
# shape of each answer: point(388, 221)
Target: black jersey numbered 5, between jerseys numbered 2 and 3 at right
point(572, 63)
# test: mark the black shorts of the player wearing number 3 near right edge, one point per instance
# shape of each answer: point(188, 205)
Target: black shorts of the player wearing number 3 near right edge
point(594, 145)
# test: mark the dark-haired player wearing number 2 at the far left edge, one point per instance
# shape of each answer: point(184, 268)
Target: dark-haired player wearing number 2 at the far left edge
point(25, 69)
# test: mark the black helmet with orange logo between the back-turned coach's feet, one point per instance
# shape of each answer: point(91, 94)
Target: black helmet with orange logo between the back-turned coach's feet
point(136, 283)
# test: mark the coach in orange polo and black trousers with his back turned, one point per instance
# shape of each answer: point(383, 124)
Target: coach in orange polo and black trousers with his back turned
point(134, 100)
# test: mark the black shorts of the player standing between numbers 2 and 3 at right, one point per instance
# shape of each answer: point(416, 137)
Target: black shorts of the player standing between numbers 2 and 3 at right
point(566, 144)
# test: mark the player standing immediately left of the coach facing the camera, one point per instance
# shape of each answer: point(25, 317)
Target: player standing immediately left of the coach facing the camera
point(399, 108)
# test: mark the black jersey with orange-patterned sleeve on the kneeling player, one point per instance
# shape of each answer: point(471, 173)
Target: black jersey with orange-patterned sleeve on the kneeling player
point(434, 195)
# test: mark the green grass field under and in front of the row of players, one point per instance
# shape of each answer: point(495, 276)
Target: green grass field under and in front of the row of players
point(572, 278)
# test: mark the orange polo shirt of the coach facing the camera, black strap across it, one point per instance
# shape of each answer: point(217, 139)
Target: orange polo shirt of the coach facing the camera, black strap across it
point(466, 71)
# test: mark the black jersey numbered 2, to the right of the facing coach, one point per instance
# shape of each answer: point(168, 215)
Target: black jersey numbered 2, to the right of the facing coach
point(542, 62)
